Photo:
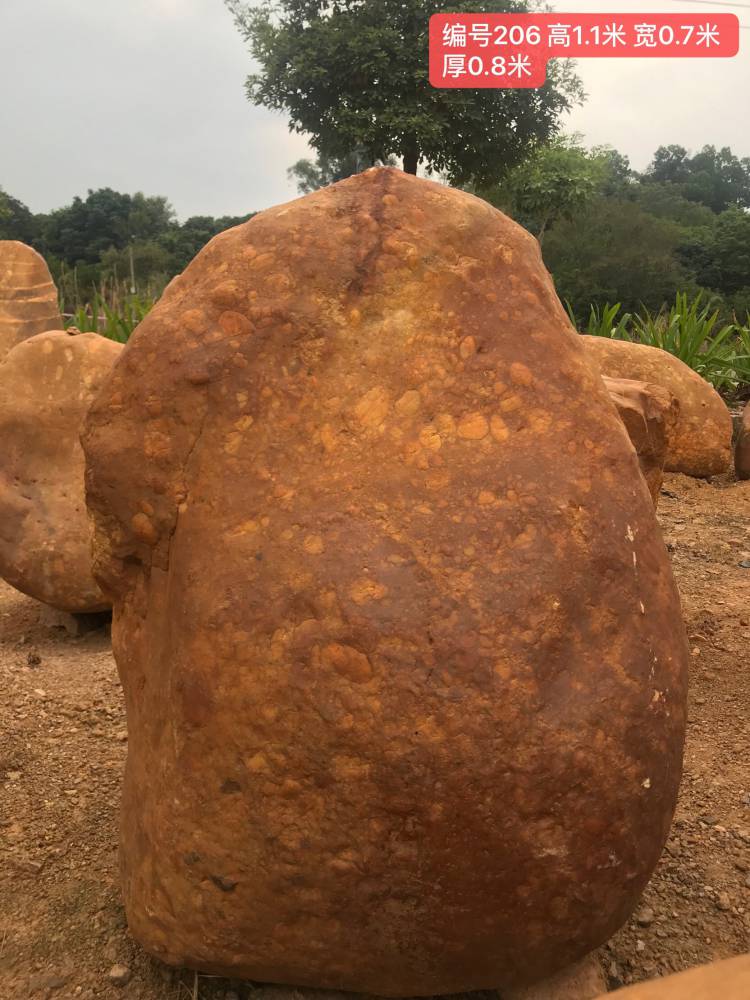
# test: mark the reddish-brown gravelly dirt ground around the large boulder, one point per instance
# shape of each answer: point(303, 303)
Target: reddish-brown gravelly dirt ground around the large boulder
point(63, 743)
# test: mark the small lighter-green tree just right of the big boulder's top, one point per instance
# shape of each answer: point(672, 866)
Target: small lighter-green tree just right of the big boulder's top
point(554, 183)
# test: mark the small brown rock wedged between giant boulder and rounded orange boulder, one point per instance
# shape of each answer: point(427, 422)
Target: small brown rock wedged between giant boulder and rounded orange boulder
point(650, 414)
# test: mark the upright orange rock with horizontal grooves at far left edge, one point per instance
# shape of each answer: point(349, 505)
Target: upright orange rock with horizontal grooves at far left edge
point(28, 297)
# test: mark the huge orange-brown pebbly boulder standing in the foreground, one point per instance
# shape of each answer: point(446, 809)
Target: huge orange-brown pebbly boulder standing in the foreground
point(402, 652)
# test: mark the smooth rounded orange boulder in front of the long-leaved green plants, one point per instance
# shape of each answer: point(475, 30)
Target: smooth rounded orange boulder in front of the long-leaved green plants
point(701, 444)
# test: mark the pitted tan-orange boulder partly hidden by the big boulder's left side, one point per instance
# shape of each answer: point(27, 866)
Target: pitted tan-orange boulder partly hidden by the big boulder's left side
point(46, 385)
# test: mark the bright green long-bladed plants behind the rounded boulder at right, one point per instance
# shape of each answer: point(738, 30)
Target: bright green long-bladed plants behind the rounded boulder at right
point(688, 329)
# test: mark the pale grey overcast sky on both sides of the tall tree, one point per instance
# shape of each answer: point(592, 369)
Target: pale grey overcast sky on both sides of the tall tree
point(148, 95)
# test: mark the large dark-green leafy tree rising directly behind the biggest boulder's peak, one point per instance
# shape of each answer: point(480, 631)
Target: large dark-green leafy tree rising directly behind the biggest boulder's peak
point(354, 73)
